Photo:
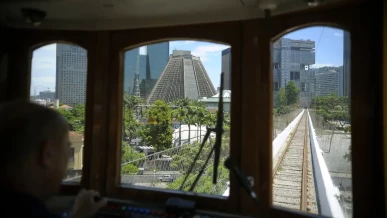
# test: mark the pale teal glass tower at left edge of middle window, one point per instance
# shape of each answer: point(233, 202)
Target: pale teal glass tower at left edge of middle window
point(130, 69)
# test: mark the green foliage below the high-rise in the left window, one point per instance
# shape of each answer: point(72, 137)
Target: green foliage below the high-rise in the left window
point(75, 117)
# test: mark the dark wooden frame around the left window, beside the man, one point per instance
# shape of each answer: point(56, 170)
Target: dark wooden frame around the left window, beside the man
point(20, 60)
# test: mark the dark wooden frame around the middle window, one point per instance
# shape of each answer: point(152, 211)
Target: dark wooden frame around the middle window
point(225, 33)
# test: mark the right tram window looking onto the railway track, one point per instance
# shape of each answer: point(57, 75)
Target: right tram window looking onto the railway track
point(312, 127)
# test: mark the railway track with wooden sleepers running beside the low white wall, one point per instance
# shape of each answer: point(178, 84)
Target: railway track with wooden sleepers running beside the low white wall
point(293, 180)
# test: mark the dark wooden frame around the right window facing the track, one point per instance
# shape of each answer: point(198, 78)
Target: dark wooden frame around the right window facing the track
point(367, 146)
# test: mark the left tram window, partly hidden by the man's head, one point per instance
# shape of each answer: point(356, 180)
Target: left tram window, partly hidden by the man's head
point(58, 81)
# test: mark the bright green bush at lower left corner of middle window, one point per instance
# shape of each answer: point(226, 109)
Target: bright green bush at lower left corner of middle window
point(127, 155)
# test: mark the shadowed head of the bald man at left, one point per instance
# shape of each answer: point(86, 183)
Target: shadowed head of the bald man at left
point(34, 138)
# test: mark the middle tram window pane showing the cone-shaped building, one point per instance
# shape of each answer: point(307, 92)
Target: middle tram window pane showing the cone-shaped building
point(171, 93)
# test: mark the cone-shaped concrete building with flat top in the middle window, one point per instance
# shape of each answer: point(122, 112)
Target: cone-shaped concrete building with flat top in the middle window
point(184, 76)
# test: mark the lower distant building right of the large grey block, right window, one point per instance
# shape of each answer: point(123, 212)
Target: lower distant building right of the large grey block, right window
point(327, 83)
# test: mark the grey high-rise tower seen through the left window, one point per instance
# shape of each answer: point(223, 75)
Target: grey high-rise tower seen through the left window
point(71, 68)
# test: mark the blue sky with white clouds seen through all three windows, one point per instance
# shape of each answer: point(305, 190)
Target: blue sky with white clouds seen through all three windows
point(329, 52)
